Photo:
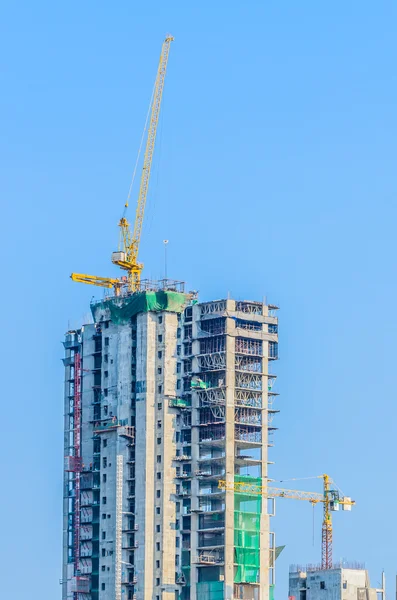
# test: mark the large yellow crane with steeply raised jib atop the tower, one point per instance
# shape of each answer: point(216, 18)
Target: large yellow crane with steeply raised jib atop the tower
point(127, 255)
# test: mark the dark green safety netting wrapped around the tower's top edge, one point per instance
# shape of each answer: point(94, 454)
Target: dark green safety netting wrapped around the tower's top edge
point(122, 309)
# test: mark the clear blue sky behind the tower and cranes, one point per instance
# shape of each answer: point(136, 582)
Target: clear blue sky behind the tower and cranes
point(274, 176)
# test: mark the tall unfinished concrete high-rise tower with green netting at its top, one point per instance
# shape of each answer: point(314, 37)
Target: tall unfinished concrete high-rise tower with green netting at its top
point(164, 397)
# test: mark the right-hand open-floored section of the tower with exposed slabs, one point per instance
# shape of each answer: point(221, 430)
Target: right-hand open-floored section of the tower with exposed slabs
point(228, 363)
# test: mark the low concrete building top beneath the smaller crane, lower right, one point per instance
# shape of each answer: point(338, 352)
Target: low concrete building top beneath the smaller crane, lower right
point(344, 581)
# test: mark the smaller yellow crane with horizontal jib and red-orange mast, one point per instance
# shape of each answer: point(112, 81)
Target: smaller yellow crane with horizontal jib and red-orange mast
point(331, 499)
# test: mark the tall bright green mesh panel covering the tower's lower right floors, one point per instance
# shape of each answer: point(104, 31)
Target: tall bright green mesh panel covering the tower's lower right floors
point(247, 515)
